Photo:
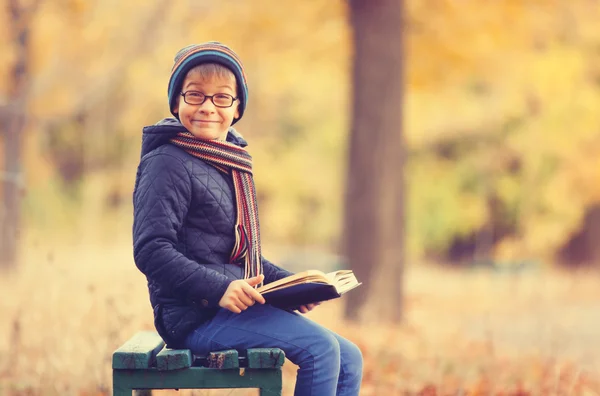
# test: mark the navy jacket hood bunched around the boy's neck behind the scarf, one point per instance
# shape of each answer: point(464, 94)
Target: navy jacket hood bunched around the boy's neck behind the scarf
point(159, 134)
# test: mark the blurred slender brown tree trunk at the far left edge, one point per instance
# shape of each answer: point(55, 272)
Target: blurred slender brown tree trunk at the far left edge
point(12, 119)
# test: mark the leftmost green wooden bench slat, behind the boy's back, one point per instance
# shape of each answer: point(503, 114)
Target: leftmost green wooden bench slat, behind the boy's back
point(139, 352)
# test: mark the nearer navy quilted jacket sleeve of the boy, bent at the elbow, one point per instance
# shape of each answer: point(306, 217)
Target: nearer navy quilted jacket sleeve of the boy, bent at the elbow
point(161, 200)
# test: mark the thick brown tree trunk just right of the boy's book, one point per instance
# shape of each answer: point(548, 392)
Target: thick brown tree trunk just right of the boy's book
point(374, 228)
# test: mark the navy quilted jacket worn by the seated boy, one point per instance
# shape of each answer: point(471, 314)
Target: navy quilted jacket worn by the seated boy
point(184, 217)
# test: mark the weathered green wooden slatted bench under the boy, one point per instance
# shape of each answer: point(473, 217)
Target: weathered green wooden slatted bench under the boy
point(144, 362)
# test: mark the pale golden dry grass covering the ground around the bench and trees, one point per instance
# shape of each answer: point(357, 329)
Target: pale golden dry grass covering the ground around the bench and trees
point(69, 305)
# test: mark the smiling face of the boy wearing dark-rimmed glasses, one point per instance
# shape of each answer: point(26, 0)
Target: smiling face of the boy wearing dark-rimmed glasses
point(206, 121)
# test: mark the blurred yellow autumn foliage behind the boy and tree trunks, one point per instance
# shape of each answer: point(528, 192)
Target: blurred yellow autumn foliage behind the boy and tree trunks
point(501, 117)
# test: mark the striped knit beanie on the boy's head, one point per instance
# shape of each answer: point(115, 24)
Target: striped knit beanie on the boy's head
point(211, 52)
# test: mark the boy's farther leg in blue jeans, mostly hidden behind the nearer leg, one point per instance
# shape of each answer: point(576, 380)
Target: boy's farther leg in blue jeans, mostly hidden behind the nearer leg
point(350, 369)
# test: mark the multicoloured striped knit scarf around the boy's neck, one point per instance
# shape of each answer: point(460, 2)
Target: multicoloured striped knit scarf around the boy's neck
point(230, 158)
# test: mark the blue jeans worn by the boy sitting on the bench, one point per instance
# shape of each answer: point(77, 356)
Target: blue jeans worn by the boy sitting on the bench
point(328, 364)
